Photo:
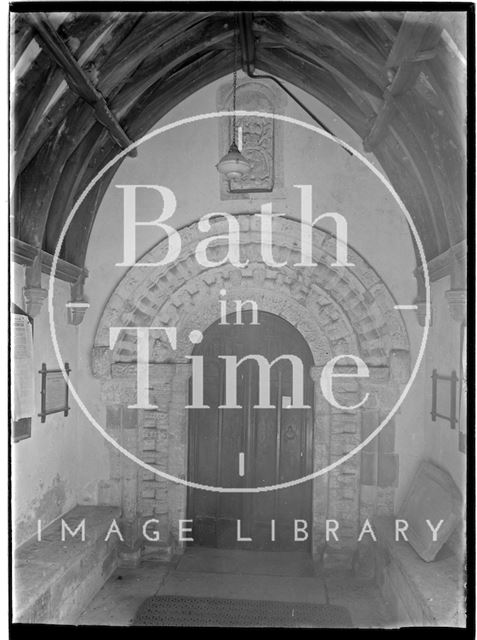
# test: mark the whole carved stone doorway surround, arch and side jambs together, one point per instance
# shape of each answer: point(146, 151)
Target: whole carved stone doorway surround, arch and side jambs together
point(345, 310)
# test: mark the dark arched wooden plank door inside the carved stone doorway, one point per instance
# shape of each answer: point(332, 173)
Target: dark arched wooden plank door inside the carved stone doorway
point(276, 444)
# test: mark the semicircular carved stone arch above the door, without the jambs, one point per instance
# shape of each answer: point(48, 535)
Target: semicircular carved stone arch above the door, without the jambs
point(342, 300)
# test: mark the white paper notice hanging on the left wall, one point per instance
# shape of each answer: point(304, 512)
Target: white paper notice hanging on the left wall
point(23, 369)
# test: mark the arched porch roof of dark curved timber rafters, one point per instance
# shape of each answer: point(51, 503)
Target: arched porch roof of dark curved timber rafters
point(98, 81)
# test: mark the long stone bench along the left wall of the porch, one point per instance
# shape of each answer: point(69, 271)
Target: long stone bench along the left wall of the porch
point(53, 579)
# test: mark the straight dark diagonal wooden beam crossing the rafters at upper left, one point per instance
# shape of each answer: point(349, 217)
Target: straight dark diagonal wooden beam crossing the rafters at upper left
point(77, 79)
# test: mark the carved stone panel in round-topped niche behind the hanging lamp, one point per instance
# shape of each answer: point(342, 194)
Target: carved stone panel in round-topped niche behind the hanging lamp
point(262, 138)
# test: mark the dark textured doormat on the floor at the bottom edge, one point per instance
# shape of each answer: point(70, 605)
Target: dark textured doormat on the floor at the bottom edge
point(184, 611)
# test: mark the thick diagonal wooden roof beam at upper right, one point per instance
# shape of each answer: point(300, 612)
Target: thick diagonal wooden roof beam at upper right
point(415, 43)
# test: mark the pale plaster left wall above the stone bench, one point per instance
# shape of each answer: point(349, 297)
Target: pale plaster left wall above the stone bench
point(45, 466)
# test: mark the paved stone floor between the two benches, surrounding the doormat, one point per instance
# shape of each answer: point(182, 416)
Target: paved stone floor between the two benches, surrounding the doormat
point(287, 577)
